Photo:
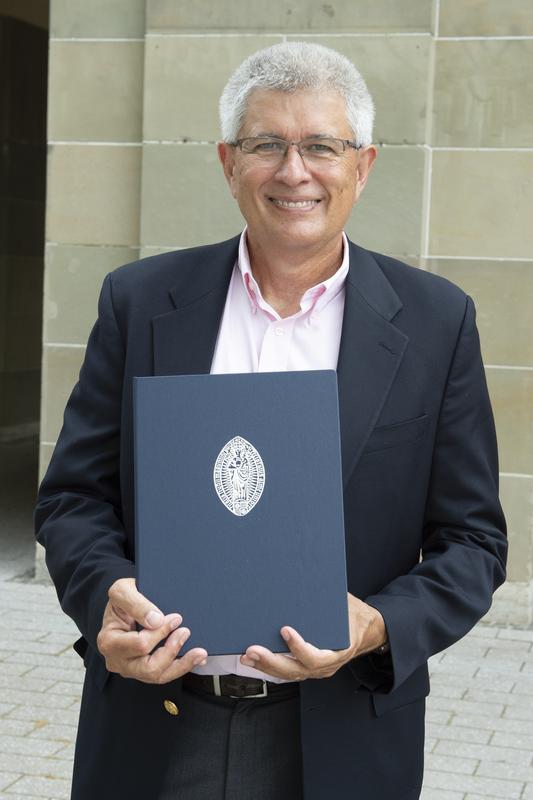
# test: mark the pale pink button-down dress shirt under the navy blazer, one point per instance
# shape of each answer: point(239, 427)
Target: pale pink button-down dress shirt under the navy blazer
point(254, 338)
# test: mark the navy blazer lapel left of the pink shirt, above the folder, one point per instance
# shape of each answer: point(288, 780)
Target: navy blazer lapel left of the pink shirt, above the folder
point(184, 339)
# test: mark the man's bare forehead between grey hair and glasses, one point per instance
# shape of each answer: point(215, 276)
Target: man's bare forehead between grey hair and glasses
point(301, 113)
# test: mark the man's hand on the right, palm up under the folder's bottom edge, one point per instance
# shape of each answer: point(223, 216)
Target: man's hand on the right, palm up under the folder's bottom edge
point(367, 631)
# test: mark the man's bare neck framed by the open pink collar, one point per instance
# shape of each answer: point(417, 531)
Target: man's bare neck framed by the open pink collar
point(284, 276)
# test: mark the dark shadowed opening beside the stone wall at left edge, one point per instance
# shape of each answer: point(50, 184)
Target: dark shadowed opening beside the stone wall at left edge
point(23, 95)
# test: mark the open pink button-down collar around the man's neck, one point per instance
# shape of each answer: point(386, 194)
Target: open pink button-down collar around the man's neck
point(313, 301)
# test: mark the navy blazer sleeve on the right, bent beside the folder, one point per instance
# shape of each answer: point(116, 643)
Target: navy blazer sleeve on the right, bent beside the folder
point(464, 546)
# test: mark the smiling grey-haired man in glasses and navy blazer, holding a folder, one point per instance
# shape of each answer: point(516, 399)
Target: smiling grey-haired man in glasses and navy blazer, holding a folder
point(425, 536)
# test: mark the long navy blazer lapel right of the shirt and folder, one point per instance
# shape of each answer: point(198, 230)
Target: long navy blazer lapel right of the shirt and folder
point(370, 353)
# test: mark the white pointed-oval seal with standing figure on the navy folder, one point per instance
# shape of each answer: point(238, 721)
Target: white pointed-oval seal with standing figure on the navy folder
point(239, 476)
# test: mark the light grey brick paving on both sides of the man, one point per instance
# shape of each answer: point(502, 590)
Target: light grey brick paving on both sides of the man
point(479, 718)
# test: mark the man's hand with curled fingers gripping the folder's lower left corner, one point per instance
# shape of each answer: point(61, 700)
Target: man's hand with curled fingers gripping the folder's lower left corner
point(129, 652)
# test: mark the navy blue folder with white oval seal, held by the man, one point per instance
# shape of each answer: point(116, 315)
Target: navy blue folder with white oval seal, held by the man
point(239, 508)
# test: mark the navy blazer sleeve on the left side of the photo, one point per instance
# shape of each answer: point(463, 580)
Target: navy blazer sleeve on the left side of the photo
point(78, 513)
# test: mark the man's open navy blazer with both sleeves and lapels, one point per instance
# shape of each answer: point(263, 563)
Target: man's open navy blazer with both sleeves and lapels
point(425, 534)
